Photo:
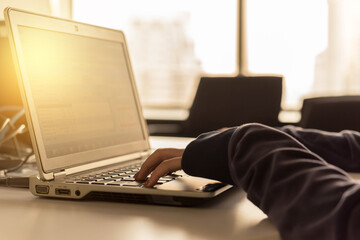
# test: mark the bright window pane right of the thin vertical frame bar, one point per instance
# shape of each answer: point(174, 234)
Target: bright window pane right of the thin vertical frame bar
point(314, 44)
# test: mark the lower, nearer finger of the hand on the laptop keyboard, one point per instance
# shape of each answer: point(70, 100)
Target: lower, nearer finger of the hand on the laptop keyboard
point(165, 167)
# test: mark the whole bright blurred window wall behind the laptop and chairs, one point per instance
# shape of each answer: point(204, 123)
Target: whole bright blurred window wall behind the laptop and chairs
point(313, 44)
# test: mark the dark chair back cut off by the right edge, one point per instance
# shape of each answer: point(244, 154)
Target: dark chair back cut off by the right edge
point(332, 113)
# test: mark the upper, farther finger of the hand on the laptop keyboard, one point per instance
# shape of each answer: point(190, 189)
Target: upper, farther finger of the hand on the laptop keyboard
point(155, 159)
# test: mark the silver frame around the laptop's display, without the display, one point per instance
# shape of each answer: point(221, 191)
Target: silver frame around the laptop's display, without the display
point(15, 18)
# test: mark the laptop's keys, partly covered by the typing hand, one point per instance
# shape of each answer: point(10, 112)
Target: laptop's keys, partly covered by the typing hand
point(123, 176)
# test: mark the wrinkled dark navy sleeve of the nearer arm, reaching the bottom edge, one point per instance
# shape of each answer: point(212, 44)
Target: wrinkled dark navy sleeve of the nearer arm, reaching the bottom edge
point(303, 195)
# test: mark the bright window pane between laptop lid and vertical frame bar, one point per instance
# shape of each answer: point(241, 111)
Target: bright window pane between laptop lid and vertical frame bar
point(171, 43)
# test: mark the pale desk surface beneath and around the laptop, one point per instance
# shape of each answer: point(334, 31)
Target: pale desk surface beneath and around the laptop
point(232, 216)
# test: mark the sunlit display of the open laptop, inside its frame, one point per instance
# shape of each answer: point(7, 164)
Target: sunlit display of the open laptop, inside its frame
point(82, 91)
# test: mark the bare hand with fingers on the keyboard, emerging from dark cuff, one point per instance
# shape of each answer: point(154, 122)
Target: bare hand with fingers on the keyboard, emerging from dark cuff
point(159, 163)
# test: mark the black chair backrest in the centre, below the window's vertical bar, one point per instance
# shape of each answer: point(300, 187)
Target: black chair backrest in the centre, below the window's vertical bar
point(231, 101)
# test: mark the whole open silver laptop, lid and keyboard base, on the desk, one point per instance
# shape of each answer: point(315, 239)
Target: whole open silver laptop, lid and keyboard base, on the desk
point(84, 115)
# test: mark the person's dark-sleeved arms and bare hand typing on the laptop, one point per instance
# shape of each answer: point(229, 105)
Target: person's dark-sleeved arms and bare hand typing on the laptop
point(298, 177)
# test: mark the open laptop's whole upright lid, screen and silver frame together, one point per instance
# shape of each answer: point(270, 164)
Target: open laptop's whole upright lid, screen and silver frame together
point(78, 91)
